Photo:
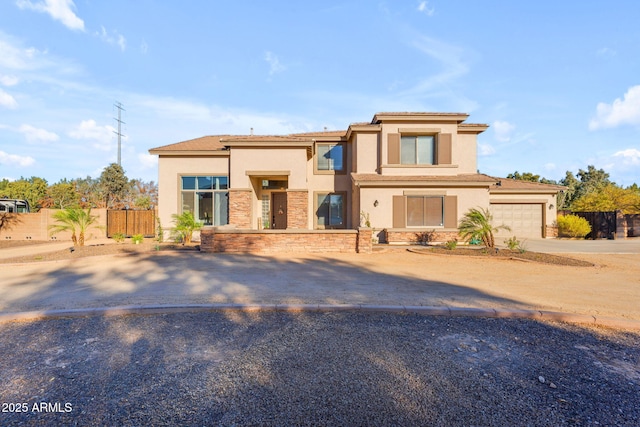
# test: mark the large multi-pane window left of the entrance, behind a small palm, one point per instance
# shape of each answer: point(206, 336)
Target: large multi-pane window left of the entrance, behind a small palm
point(207, 197)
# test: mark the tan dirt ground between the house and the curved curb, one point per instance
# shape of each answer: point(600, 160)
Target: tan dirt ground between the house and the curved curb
point(142, 275)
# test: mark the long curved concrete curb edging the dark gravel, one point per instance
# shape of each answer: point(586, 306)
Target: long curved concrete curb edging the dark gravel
point(297, 308)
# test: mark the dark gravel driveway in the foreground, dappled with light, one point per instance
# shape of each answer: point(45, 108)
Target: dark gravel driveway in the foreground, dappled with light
point(275, 368)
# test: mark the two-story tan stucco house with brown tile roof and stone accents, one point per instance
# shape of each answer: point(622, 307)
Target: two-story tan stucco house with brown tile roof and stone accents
point(402, 173)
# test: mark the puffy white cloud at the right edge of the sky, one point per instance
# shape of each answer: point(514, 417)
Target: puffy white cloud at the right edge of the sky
point(624, 111)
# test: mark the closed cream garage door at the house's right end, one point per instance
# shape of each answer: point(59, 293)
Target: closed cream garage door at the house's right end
point(525, 220)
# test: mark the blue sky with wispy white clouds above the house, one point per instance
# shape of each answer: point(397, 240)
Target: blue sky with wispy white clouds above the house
point(559, 82)
